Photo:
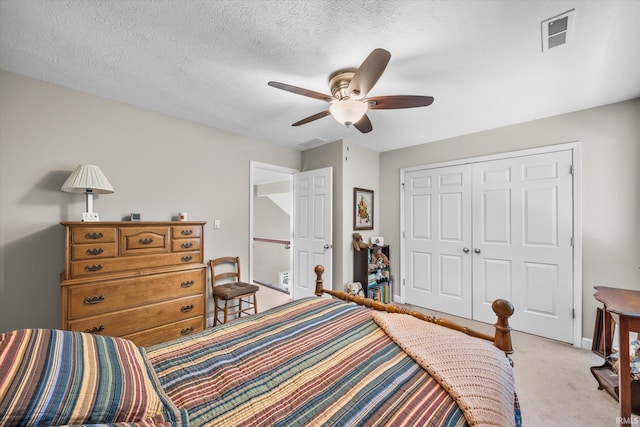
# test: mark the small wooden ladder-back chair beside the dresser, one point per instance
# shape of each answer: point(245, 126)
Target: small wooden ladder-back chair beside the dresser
point(227, 287)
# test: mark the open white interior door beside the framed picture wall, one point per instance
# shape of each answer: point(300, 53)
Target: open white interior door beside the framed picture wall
point(312, 230)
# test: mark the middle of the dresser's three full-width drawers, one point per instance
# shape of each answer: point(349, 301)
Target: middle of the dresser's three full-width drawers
point(101, 297)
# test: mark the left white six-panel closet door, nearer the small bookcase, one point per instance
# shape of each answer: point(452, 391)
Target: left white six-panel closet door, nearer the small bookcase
point(437, 231)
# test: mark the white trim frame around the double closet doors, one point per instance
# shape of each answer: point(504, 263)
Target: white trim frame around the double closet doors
point(575, 148)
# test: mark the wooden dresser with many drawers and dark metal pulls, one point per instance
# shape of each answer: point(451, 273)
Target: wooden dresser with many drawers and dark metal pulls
point(145, 281)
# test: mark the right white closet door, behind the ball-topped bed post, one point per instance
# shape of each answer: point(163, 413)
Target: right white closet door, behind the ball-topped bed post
point(522, 230)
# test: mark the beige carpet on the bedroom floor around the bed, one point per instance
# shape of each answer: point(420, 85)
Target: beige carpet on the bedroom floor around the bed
point(553, 381)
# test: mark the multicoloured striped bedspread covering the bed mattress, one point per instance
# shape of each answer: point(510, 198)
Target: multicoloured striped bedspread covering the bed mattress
point(312, 362)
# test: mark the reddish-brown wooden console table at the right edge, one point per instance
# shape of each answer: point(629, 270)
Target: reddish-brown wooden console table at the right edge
point(623, 306)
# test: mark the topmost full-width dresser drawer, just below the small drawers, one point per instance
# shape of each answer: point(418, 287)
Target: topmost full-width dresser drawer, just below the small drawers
point(99, 267)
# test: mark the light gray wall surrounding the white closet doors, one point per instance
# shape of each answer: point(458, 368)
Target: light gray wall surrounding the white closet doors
point(610, 143)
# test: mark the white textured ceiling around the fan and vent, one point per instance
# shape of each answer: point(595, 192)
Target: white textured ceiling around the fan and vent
point(210, 61)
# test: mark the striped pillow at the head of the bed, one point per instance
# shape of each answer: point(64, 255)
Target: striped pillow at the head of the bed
point(52, 377)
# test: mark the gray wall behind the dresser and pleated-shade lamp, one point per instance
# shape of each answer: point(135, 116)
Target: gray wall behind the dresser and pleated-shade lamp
point(157, 164)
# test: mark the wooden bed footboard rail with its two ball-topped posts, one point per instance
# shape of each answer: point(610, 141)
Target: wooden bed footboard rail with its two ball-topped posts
point(502, 308)
